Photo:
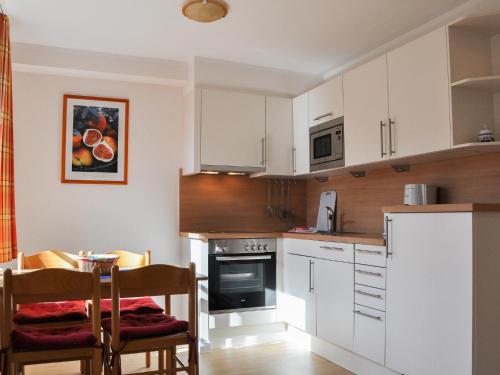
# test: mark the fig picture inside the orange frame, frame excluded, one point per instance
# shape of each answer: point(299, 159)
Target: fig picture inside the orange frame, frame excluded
point(95, 139)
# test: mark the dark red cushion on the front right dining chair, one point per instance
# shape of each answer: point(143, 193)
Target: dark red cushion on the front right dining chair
point(134, 326)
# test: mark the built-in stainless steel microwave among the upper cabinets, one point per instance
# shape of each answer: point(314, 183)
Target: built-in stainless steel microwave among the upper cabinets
point(326, 145)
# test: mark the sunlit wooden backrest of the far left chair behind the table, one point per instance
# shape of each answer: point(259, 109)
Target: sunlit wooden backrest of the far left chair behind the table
point(47, 259)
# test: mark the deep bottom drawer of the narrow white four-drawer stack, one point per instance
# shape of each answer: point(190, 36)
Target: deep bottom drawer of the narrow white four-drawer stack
point(369, 333)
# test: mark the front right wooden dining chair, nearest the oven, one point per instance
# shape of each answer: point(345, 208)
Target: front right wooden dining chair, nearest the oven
point(155, 280)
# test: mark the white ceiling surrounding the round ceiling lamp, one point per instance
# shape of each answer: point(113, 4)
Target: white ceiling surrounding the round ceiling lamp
point(310, 36)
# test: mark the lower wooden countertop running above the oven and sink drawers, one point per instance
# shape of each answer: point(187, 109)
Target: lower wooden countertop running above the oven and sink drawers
point(361, 238)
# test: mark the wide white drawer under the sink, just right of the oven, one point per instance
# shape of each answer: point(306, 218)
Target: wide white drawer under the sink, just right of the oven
point(341, 252)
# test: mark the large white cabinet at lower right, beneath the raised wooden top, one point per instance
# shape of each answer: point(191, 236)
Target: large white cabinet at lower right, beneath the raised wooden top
point(443, 304)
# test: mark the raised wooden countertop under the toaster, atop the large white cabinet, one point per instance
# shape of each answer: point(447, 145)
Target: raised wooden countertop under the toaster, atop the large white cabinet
point(456, 207)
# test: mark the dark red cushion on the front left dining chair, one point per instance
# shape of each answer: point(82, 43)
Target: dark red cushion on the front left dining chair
point(31, 339)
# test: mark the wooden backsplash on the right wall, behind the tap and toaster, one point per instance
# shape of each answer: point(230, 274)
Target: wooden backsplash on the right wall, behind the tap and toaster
point(474, 179)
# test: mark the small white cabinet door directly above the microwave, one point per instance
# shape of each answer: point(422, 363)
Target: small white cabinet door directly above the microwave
point(326, 102)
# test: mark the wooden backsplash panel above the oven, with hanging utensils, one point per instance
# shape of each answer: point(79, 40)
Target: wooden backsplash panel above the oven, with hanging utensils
point(235, 203)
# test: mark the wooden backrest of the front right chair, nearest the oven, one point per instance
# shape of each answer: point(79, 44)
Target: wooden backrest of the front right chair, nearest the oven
point(154, 280)
